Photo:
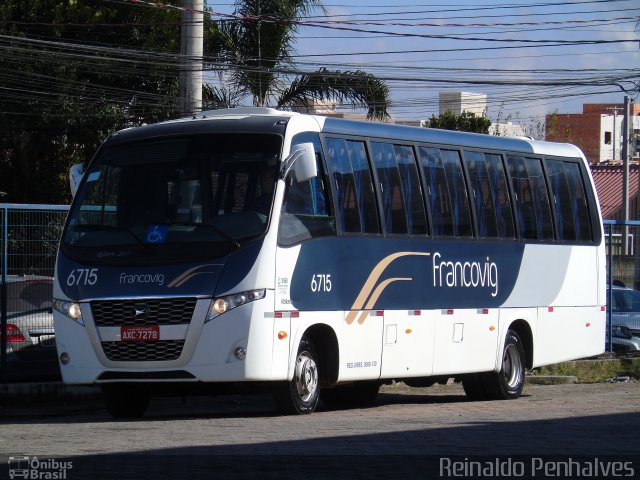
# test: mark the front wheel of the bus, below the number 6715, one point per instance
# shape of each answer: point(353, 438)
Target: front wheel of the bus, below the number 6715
point(300, 395)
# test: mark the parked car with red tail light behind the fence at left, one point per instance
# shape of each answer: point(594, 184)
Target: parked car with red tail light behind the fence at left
point(30, 350)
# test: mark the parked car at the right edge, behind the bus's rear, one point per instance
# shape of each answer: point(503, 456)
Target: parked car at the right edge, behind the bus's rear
point(625, 319)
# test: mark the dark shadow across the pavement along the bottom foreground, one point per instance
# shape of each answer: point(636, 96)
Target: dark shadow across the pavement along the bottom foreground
point(414, 452)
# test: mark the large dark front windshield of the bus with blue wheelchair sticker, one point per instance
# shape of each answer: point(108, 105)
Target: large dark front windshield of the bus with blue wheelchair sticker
point(157, 198)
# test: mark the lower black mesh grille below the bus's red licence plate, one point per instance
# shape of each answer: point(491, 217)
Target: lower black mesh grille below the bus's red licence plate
point(143, 351)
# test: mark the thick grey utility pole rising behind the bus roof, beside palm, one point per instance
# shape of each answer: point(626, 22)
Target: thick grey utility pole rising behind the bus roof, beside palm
point(191, 49)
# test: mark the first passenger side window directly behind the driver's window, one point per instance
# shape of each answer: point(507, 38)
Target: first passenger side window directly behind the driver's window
point(356, 209)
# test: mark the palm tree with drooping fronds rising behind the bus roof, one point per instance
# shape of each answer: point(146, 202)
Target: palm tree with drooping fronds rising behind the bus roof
point(256, 61)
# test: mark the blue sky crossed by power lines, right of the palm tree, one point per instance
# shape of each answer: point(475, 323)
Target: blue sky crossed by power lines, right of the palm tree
point(522, 54)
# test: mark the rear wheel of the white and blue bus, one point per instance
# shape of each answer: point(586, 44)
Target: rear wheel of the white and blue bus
point(507, 384)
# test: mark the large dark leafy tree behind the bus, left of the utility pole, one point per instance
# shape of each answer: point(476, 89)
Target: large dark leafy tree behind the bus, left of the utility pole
point(71, 73)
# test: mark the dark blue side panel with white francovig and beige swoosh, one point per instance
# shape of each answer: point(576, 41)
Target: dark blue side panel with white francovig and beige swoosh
point(374, 273)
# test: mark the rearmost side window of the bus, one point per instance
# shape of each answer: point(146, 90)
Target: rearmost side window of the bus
point(569, 200)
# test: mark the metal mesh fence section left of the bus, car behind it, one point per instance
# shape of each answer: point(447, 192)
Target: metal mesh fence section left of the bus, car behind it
point(29, 239)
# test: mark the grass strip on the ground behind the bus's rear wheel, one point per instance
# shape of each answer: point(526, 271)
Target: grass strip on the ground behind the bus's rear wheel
point(594, 371)
